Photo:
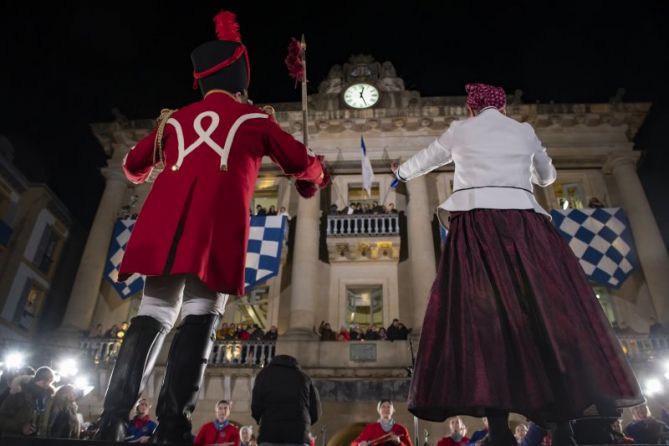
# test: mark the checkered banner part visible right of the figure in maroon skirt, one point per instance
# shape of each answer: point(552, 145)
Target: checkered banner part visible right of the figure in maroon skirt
point(602, 241)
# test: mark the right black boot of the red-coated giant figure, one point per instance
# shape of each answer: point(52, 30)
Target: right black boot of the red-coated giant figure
point(186, 364)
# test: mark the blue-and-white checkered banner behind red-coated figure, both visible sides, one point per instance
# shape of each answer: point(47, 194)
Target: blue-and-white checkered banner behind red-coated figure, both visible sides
point(263, 253)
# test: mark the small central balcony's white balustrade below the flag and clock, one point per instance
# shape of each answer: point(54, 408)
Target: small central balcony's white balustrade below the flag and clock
point(357, 225)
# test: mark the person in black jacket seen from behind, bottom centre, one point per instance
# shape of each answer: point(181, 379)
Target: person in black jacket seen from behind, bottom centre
point(284, 403)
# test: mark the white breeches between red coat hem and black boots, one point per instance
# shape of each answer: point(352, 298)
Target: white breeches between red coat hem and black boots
point(164, 296)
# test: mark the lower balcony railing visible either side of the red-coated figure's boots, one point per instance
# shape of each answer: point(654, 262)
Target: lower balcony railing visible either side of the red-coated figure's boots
point(224, 353)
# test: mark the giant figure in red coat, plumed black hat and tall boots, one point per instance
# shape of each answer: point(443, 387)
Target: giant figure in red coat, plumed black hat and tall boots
point(190, 237)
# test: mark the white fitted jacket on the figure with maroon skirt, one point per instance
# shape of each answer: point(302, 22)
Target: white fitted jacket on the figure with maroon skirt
point(496, 161)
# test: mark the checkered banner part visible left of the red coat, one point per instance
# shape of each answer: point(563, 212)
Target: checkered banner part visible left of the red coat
point(135, 283)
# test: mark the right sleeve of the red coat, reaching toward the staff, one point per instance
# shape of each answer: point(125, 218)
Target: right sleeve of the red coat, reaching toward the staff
point(291, 155)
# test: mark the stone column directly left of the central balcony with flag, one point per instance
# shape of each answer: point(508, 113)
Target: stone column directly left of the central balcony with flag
point(304, 280)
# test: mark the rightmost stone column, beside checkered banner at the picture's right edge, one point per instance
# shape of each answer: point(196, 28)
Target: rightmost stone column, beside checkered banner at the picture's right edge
point(650, 246)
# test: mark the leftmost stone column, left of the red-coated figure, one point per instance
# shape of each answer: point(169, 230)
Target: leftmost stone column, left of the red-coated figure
point(86, 287)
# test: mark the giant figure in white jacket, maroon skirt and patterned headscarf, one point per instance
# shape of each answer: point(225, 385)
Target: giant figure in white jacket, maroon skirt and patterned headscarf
point(512, 323)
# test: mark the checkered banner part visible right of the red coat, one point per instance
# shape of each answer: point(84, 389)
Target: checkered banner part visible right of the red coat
point(263, 251)
